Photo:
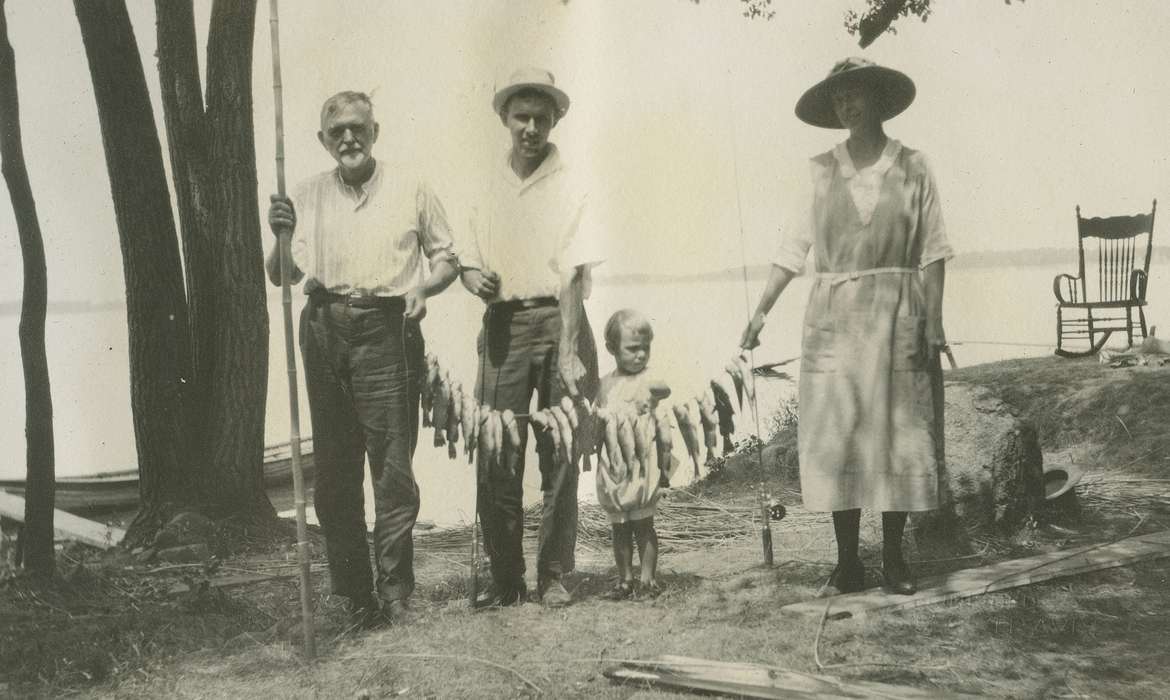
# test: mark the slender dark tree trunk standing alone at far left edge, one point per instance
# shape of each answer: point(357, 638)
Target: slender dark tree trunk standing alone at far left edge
point(36, 544)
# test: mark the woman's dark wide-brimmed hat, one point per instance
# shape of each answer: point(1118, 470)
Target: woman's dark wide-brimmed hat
point(894, 87)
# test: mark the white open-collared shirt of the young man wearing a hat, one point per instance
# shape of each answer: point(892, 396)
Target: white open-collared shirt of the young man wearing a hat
point(534, 231)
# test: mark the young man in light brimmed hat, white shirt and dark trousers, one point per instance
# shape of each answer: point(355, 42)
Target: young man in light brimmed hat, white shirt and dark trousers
point(529, 260)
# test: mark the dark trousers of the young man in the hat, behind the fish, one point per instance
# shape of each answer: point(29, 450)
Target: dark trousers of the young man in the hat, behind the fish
point(518, 354)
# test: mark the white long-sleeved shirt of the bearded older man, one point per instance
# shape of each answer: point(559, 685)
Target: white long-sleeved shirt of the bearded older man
point(369, 239)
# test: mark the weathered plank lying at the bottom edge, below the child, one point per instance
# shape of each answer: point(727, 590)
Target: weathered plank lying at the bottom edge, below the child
point(754, 681)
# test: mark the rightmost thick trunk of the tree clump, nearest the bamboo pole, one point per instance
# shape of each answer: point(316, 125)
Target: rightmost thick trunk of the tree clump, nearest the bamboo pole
point(239, 390)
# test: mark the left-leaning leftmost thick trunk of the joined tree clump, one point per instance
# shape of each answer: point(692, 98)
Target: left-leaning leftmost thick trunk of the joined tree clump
point(161, 373)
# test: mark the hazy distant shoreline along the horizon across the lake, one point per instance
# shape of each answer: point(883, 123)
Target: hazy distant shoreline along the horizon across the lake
point(976, 260)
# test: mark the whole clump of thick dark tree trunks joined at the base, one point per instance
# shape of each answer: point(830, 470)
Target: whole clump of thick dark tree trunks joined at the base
point(198, 327)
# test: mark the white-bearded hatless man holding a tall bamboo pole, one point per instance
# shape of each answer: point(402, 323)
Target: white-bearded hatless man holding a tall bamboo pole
point(364, 239)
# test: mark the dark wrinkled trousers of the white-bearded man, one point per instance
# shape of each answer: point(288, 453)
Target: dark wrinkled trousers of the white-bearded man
point(363, 369)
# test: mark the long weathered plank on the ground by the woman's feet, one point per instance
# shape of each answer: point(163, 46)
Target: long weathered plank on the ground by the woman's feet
point(995, 578)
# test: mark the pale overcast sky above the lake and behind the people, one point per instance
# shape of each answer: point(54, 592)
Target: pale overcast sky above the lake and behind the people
point(1024, 111)
